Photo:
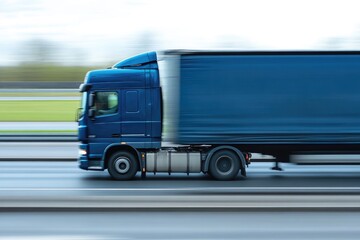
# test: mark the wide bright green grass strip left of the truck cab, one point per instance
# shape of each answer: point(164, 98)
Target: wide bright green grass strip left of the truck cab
point(38, 111)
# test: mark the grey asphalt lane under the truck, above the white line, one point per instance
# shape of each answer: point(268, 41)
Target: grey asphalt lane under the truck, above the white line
point(54, 174)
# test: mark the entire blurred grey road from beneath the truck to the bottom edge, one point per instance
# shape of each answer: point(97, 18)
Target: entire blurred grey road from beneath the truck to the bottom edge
point(46, 200)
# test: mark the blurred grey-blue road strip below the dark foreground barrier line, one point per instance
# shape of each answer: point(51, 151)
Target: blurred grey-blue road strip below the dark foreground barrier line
point(179, 225)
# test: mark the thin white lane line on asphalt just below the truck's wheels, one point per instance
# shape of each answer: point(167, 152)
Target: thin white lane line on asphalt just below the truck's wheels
point(187, 189)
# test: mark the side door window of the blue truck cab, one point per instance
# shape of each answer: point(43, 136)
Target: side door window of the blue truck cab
point(106, 103)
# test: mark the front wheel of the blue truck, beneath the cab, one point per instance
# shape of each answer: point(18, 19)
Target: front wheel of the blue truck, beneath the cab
point(123, 166)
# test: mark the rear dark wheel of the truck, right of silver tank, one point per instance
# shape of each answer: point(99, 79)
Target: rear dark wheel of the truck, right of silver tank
point(224, 165)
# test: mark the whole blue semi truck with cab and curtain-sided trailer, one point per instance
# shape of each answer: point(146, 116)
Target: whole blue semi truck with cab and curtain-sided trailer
point(181, 111)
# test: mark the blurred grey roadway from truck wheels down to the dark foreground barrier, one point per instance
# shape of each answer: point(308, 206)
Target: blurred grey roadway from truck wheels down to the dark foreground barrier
point(27, 182)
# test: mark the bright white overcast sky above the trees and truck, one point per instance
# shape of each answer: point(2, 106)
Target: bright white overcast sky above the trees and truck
point(98, 31)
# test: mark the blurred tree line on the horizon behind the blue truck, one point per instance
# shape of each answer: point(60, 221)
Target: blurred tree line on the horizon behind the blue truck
point(42, 60)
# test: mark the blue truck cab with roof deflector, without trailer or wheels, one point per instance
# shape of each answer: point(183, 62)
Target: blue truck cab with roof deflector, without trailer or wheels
point(120, 111)
